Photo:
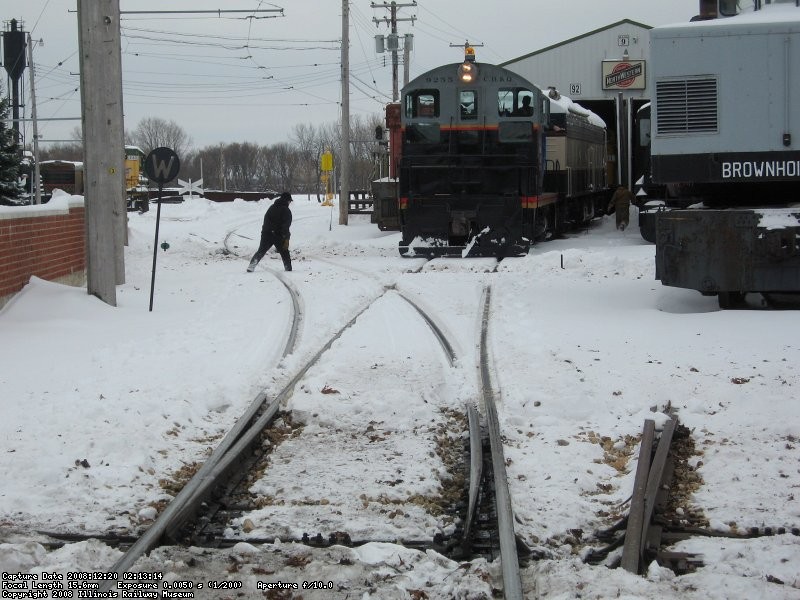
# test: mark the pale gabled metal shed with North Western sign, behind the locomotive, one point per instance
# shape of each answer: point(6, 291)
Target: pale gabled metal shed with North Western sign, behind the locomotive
point(604, 70)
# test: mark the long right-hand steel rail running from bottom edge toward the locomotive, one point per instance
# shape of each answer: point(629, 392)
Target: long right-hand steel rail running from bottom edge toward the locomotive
point(512, 583)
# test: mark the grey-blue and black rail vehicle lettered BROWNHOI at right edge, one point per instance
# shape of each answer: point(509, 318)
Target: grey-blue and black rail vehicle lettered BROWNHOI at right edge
point(724, 143)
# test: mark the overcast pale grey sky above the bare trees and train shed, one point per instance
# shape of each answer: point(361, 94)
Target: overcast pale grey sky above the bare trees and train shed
point(231, 78)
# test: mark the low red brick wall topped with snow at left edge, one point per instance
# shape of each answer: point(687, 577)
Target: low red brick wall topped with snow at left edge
point(48, 241)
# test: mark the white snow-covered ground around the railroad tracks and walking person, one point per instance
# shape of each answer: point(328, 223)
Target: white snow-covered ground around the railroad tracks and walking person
point(101, 405)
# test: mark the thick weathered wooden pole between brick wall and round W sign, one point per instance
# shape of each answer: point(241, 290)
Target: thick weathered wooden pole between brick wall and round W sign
point(103, 145)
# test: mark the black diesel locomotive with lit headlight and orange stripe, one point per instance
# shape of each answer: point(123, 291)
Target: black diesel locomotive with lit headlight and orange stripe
point(488, 162)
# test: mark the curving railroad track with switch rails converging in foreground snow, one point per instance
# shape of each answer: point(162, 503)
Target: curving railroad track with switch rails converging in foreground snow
point(217, 492)
